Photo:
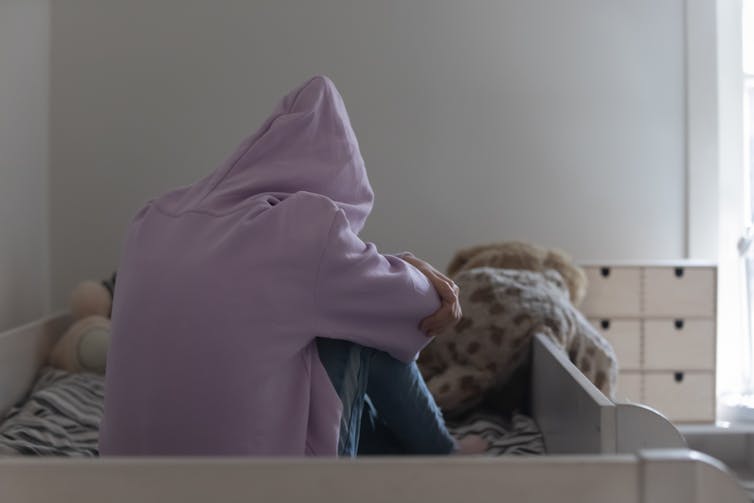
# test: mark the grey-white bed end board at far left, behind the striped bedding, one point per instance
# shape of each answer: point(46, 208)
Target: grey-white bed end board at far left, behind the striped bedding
point(23, 350)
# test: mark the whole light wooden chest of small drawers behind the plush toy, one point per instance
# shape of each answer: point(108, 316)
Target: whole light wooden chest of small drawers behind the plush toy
point(661, 319)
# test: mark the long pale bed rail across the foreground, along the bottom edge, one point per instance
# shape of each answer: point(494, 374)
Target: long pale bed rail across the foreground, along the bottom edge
point(681, 476)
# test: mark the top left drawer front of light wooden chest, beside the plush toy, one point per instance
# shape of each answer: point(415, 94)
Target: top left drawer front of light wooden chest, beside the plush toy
point(612, 291)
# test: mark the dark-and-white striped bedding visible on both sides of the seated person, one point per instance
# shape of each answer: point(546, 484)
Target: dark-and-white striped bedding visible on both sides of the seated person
point(61, 417)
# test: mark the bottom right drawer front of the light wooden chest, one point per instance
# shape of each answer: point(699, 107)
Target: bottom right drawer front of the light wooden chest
point(681, 396)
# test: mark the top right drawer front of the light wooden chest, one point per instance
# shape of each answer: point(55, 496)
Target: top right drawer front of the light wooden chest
point(676, 292)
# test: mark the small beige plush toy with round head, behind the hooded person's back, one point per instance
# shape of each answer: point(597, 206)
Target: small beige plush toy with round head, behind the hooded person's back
point(83, 346)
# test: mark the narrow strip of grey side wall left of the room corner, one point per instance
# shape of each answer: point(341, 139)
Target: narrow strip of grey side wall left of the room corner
point(24, 87)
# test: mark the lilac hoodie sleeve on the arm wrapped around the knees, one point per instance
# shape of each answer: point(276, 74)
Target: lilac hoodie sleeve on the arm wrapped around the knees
point(371, 299)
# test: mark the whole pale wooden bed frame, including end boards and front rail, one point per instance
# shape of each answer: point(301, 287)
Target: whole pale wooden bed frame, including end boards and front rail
point(597, 451)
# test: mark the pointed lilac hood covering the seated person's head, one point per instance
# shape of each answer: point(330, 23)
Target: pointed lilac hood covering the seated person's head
point(306, 144)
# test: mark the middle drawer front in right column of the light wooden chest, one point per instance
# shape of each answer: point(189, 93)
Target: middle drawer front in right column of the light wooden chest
point(679, 344)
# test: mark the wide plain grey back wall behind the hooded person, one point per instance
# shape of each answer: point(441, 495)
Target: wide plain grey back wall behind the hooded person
point(557, 122)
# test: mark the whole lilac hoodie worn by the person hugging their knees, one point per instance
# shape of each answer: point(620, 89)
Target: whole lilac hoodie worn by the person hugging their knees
point(223, 286)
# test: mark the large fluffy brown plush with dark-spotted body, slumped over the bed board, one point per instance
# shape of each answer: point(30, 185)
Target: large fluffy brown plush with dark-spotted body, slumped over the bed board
point(508, 292)
